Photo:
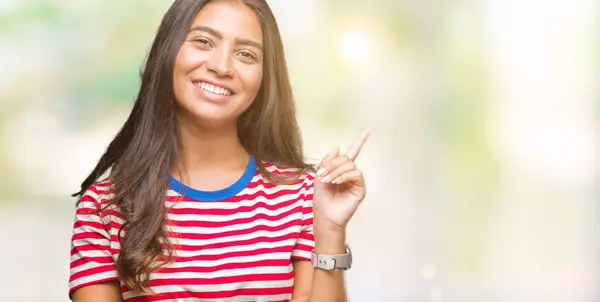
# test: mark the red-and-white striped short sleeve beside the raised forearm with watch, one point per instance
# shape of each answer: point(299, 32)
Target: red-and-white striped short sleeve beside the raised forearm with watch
point(306, 241)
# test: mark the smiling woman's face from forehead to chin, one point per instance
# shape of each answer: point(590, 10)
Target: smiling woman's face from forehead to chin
point(218, 70)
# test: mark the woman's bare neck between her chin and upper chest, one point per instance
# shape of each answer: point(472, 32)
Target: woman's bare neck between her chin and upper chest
point(208, 148)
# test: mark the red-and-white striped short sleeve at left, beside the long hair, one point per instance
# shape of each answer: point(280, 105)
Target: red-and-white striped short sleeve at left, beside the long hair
point(91, 257)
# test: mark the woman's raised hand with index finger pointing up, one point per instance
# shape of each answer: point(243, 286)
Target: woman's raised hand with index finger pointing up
point(339, 187)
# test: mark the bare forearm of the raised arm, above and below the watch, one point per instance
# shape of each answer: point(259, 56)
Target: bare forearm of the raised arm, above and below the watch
point(328, 286)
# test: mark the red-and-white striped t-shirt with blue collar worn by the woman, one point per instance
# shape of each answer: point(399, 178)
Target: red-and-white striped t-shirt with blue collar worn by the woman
point(234, 244)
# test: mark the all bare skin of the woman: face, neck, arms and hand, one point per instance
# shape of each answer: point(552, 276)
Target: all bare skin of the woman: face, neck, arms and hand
point(224, 47)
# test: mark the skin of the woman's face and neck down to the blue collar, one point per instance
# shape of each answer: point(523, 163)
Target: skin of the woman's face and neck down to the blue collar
point(223, 47)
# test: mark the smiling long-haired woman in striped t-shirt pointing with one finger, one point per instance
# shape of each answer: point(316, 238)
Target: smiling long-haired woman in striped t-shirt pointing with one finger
point(206, 194)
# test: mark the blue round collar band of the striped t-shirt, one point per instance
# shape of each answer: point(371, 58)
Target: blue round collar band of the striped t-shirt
point(217, 195)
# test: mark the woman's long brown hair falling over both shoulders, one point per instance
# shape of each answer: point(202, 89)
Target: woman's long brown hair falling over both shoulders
point(139, 159)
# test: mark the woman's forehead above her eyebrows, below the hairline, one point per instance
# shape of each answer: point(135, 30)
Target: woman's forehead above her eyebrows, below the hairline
point(230, 18)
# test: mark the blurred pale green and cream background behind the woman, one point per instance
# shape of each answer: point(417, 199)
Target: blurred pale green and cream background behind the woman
point(482, 167)
